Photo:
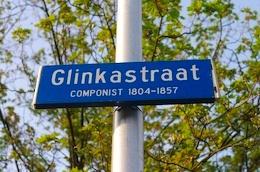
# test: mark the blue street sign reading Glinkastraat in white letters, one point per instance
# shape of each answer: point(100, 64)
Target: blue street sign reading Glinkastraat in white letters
point(134, 83)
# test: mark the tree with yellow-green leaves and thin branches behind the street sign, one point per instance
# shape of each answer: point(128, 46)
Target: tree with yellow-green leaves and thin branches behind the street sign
point(196, 137)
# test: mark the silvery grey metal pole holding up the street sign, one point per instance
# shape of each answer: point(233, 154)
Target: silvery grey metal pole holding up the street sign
point(127, 144)
